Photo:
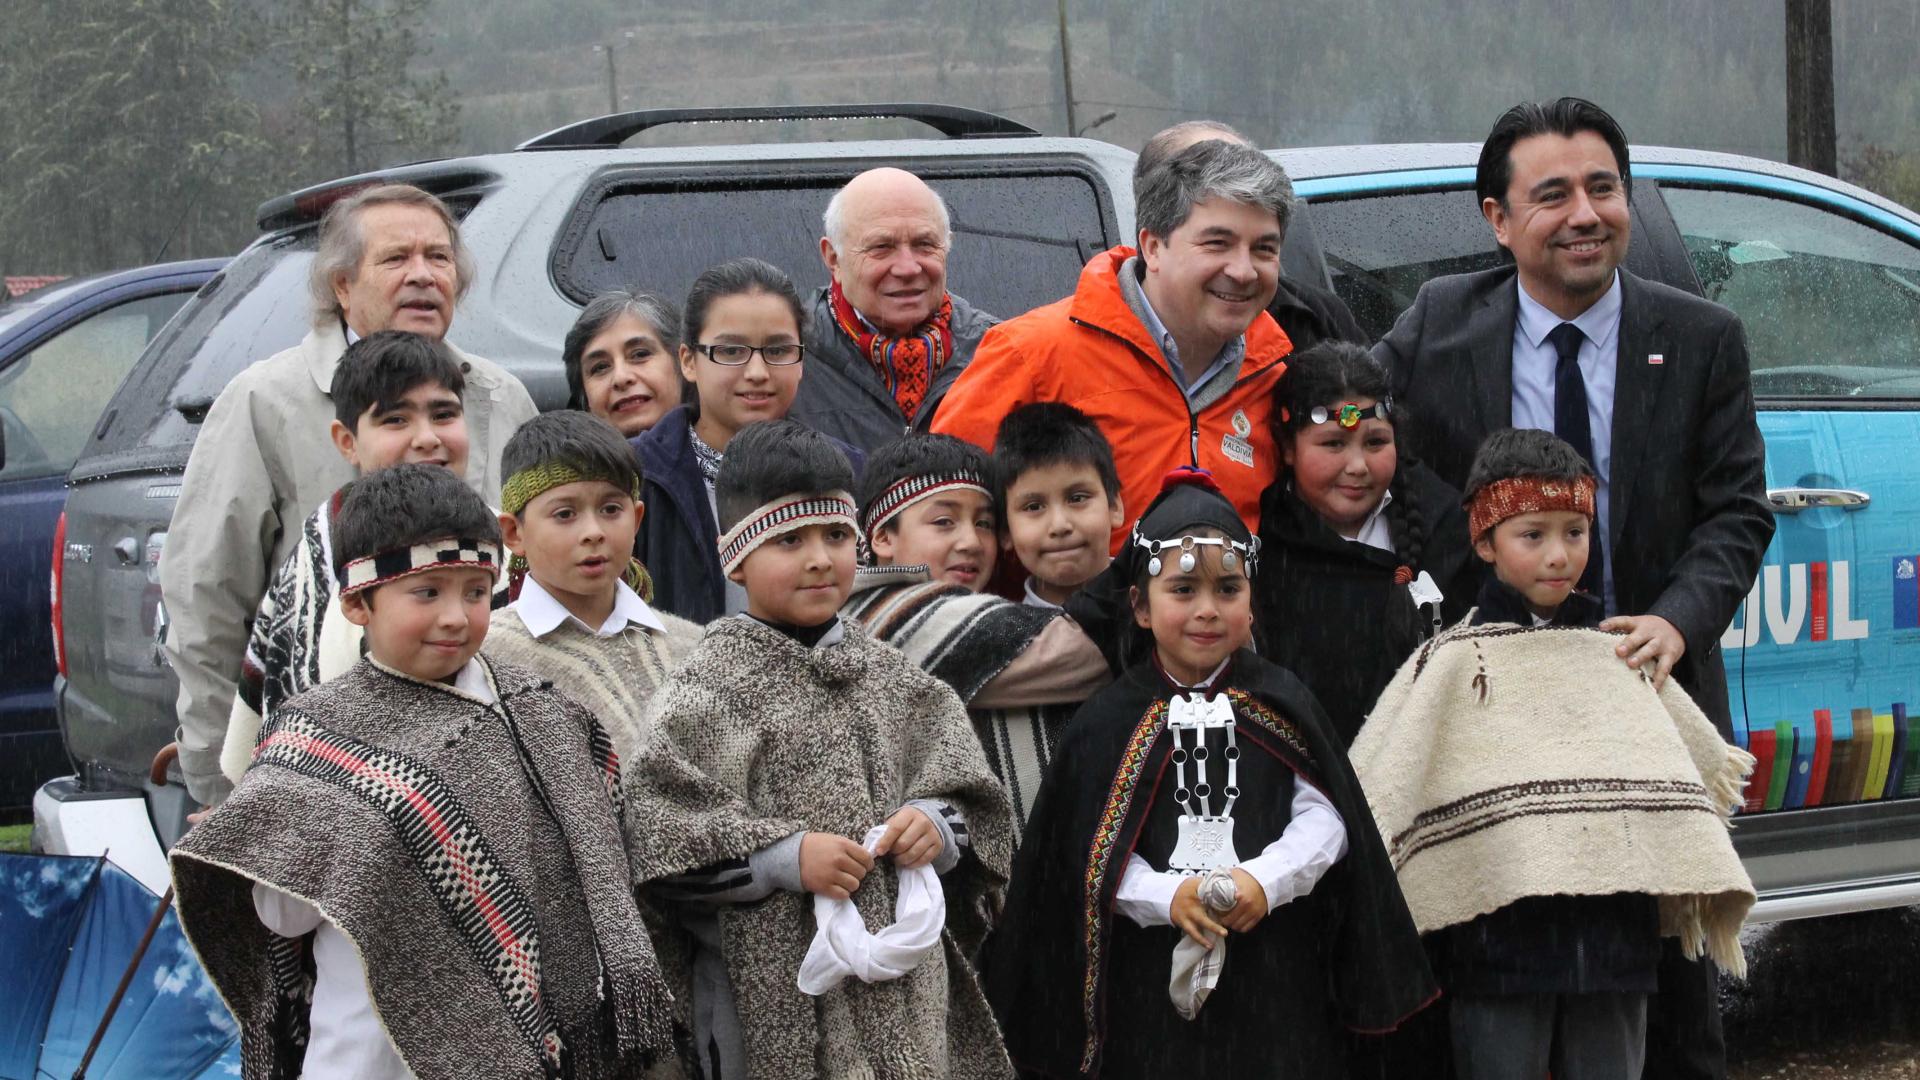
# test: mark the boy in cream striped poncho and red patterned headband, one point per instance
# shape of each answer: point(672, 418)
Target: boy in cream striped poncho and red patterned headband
point(1550, 812)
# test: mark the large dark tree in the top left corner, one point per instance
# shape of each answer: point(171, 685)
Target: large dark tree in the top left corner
point(122, 139)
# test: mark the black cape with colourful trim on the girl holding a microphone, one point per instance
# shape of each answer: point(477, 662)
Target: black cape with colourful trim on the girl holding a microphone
point(1084, 993)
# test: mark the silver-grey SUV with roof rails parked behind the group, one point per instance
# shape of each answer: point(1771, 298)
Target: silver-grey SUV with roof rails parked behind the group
point(552, 224)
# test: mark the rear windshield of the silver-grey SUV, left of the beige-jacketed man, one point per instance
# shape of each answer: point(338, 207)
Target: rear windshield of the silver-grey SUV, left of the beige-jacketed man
point(252, 310)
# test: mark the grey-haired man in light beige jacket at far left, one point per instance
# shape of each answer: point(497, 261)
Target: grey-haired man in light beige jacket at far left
point(391, 258)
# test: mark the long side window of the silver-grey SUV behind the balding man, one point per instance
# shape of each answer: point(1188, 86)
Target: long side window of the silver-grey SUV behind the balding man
point(1020, 239)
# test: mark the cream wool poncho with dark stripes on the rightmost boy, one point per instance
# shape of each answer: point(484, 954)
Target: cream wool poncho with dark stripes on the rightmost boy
point(1508, 762)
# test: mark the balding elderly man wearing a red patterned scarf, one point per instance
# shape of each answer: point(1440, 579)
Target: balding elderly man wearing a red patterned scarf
point(886, 339)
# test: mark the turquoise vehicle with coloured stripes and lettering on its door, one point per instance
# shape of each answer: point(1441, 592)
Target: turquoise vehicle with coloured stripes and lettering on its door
point(1825, 658)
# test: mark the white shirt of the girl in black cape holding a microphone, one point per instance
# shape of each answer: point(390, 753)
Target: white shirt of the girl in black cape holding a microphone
point(1287, 870)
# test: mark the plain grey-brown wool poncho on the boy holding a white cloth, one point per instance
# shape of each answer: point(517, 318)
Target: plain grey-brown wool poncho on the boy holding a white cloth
point(757, 737)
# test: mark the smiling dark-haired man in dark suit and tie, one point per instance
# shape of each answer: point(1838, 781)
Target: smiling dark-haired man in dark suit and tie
point(1650, 385)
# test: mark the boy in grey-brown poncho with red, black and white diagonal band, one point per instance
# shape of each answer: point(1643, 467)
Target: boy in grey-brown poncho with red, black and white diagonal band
point(421, 873)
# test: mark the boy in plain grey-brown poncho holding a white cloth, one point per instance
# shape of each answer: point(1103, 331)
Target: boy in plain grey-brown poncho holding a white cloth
point(784, 739)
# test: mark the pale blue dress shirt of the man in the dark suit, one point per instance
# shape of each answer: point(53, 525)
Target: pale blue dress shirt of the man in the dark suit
point(1535, 362)
